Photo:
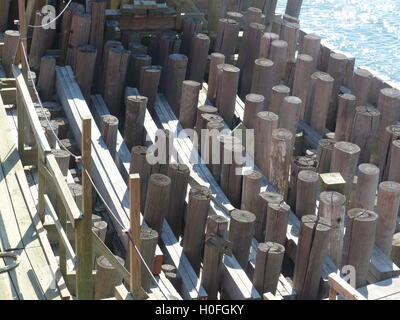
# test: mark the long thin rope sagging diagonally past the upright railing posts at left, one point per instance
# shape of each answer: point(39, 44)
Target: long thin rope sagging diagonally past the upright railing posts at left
point(78, 159)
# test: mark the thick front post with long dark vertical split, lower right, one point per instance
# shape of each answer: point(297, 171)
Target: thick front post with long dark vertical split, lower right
point(312, 249)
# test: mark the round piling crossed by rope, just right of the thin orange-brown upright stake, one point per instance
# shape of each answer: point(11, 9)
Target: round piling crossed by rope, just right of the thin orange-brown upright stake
point(148, 244)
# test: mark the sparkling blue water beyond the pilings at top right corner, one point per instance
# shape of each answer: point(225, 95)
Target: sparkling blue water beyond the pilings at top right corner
point(368, 30)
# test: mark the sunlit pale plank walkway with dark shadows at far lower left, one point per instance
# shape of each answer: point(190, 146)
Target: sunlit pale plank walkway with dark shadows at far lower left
point(37, 276)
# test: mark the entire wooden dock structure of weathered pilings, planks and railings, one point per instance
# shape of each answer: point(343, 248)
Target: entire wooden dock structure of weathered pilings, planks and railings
point(278, 181)
